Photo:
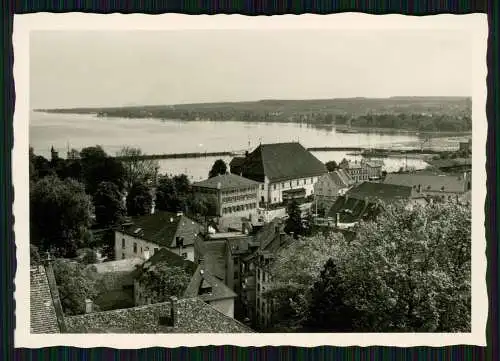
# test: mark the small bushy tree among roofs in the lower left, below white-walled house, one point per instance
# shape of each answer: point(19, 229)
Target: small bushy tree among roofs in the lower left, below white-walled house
point(163, 281)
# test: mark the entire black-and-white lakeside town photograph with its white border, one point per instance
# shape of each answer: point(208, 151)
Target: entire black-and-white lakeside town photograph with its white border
point(321, 180)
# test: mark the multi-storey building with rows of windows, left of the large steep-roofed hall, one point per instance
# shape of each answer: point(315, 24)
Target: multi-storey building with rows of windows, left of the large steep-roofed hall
point(231, 195)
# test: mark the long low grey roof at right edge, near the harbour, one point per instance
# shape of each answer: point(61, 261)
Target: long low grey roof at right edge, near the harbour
point(428, 182)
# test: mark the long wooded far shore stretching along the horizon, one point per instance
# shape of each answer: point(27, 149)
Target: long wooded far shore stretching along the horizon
point(431, 114)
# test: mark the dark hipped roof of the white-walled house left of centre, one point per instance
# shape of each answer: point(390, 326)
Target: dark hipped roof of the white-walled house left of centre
point(162, 228)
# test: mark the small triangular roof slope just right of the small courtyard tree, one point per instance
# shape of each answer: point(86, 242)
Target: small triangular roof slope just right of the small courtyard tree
point(202, 278)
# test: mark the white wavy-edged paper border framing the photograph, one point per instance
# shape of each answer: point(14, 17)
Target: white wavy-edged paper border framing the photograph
point(23, 24)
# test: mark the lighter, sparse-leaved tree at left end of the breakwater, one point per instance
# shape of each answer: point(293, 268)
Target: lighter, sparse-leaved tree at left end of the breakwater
point(137, 169)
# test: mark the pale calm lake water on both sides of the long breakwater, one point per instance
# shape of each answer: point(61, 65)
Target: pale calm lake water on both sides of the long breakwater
point(155, 136)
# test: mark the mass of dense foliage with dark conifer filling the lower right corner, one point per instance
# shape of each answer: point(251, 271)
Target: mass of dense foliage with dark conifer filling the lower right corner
point(407, 272)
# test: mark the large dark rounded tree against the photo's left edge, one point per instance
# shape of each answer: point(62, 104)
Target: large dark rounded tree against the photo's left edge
point(60, 214)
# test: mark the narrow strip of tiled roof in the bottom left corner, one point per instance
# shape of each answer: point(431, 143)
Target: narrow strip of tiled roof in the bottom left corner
point(43, 318)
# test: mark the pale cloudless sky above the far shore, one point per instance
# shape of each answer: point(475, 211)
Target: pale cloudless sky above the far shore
point(115, 68)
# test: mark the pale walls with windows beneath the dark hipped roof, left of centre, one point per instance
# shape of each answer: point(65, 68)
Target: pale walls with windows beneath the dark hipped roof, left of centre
point(127, 246)
